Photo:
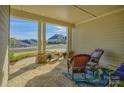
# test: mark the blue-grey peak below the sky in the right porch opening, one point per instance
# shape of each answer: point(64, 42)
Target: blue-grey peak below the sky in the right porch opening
point(57, 39)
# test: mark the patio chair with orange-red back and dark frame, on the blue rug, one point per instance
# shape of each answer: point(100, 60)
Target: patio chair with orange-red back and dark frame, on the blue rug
point(77, 64)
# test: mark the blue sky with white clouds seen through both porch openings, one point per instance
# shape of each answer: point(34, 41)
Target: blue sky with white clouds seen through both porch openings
point(25, 29)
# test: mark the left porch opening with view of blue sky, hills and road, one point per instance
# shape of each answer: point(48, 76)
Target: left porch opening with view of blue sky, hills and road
point(23, 36)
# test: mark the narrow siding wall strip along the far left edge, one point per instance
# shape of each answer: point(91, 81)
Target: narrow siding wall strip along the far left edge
point(4, 30)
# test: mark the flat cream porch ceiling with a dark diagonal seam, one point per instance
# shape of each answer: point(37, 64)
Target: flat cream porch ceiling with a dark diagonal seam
point(68, 13)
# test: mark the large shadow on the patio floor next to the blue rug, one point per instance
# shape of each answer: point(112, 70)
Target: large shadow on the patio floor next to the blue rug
point(54, 78)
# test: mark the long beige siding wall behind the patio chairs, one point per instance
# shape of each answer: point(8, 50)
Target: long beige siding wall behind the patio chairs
point(107, 33)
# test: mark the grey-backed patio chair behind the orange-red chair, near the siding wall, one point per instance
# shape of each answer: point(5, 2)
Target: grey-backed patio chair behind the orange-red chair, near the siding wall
point(94, 60)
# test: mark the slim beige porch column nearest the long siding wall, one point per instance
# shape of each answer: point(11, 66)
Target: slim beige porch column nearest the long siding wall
point(69, 41)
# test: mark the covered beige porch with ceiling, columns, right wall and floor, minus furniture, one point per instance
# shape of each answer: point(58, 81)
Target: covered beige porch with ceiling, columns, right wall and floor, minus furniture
point(88, 28)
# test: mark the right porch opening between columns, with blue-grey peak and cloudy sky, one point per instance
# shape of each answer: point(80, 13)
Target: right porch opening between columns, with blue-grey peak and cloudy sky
point(56, 38)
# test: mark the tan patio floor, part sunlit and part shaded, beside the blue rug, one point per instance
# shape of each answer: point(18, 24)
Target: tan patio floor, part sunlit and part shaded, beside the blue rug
point(26, 73)
